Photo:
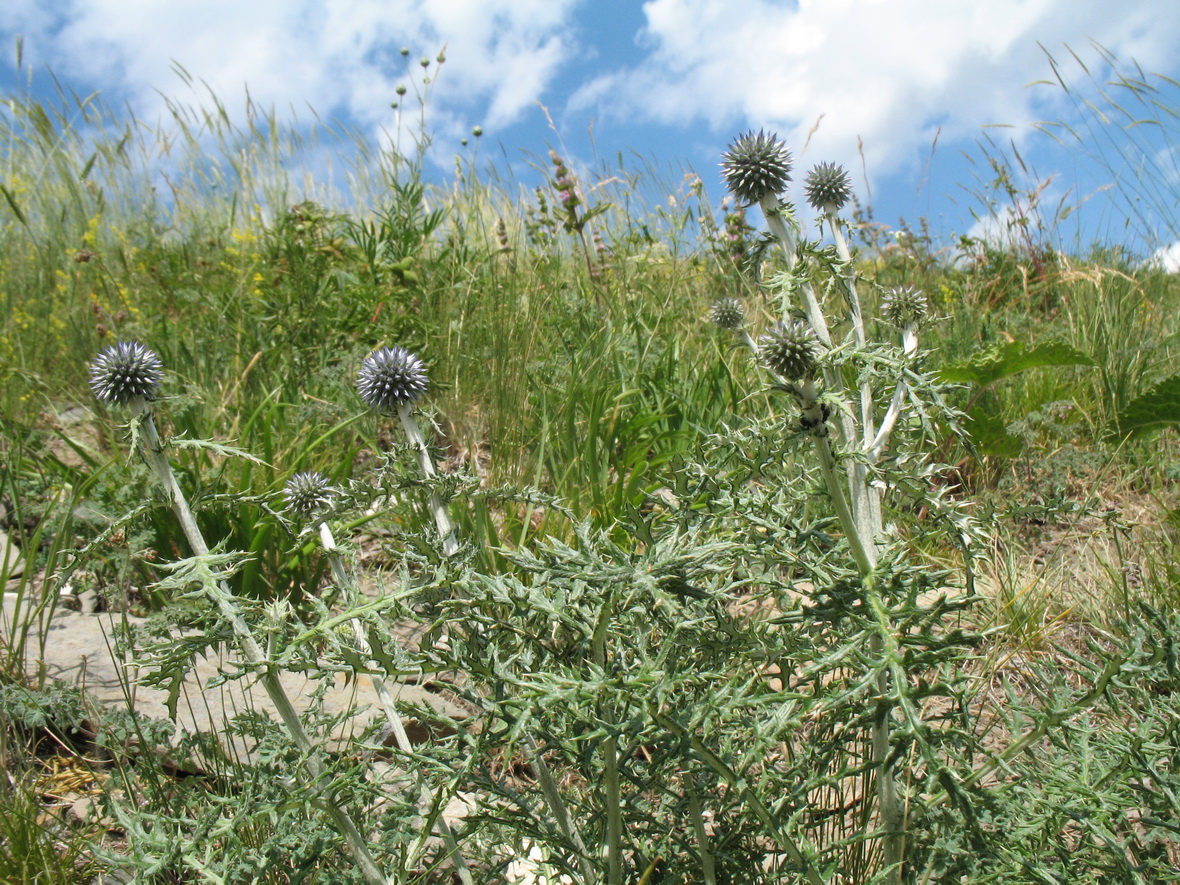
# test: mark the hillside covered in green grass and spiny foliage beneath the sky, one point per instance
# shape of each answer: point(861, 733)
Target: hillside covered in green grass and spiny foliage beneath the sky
point(680, 664)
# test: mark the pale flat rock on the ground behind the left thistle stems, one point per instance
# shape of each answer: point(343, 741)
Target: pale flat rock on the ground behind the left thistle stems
point(78, 651)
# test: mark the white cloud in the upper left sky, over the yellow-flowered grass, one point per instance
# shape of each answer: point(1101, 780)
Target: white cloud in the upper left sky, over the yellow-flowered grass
point(339, 58)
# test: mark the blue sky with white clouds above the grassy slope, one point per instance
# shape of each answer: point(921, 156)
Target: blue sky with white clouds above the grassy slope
point(900, 91)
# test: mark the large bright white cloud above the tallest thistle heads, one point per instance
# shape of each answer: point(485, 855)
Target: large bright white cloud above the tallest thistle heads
point(893, 73)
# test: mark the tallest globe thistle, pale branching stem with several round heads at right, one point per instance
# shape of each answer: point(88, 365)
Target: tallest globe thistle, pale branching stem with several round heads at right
point(849, 423)
